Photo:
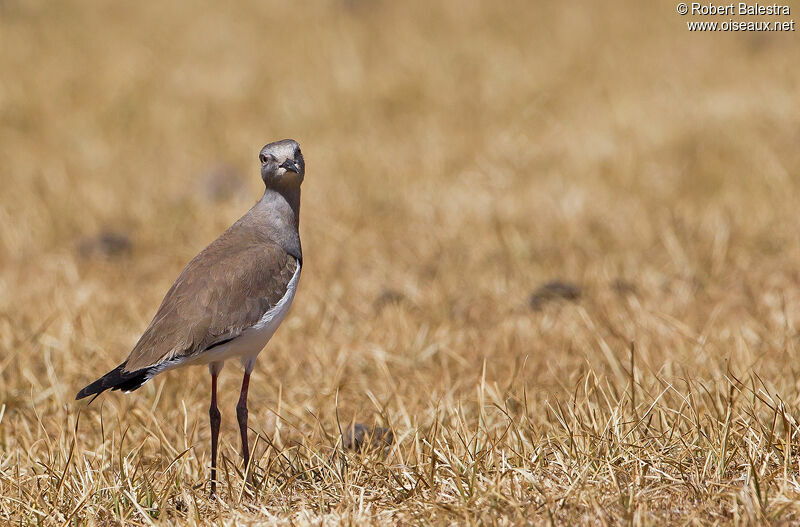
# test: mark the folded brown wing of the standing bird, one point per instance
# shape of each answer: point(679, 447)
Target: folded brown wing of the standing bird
point(224, 290)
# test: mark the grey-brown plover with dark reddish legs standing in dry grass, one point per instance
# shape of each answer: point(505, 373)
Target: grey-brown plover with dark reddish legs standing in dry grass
point(229, 299)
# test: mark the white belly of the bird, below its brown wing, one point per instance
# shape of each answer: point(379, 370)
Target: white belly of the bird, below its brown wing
point(249, 344)
